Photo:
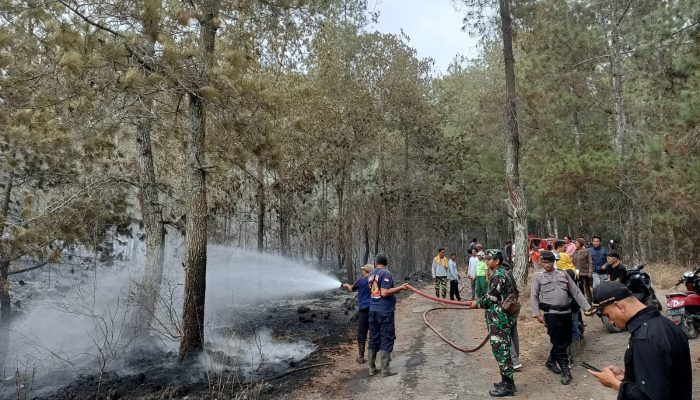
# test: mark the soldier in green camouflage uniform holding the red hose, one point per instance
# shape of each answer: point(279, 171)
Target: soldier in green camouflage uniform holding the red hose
point(499, 323)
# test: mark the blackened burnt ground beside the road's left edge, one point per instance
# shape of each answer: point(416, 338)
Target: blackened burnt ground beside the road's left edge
point(326, 321)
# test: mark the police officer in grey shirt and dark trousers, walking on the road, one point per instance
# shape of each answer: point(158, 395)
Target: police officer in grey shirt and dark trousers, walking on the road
point(555, 286)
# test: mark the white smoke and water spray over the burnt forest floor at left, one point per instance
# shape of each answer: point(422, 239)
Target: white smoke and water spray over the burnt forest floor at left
point(79, 323)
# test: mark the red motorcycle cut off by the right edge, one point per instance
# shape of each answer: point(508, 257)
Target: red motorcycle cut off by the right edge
point(683, 308)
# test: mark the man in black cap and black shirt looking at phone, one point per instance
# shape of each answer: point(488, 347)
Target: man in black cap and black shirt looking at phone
point(657, 360)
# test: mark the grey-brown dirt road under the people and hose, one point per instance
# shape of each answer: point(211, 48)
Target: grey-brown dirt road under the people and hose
point(429, 369)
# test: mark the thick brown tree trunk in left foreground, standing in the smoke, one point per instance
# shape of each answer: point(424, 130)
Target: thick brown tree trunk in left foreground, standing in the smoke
point(192, 339)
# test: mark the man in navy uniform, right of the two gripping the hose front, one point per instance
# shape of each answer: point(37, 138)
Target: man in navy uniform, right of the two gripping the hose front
point(382, 305)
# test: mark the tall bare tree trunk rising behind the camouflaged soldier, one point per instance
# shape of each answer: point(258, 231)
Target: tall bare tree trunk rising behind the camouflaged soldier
point(516, 194)
